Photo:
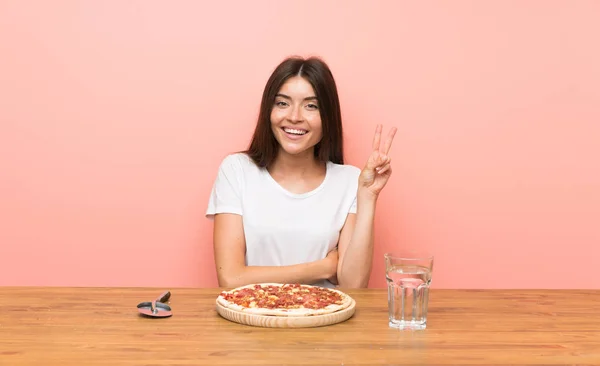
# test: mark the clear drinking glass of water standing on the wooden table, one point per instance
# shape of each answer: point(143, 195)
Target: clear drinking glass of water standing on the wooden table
point(408, 279)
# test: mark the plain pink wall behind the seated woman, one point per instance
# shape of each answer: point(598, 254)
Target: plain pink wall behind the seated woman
point(115, 115)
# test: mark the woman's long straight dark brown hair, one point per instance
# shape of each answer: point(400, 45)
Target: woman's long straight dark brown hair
point(264, 147)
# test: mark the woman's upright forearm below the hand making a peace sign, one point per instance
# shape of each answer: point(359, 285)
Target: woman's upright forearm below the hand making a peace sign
point(355, 268)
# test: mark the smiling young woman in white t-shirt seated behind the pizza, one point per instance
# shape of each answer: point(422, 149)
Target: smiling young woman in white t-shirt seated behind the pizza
point(288, 210)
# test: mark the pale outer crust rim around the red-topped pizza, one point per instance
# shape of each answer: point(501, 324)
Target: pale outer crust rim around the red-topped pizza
point(297, 312)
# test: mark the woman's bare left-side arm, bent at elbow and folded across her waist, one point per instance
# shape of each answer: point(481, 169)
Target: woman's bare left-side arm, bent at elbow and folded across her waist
point(230, 248)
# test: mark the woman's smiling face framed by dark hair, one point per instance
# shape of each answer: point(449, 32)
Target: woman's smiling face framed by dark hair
point(295, 117)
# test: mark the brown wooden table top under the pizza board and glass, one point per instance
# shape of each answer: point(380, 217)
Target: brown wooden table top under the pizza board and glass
point(101, 326)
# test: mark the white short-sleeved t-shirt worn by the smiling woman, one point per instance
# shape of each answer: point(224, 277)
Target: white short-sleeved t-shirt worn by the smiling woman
point(283, 228)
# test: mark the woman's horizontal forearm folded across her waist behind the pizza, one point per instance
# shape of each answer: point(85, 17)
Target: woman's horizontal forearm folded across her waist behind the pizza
point(298, 273)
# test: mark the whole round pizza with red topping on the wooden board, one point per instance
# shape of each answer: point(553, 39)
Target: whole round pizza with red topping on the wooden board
point(278, 299)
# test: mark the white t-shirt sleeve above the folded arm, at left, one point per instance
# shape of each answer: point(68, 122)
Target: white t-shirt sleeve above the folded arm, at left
point(226, 193)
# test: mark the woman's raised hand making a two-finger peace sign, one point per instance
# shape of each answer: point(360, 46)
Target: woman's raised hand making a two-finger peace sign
point(378, 168)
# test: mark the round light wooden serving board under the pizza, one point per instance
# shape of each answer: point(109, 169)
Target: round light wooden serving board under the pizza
point(269, 321)
